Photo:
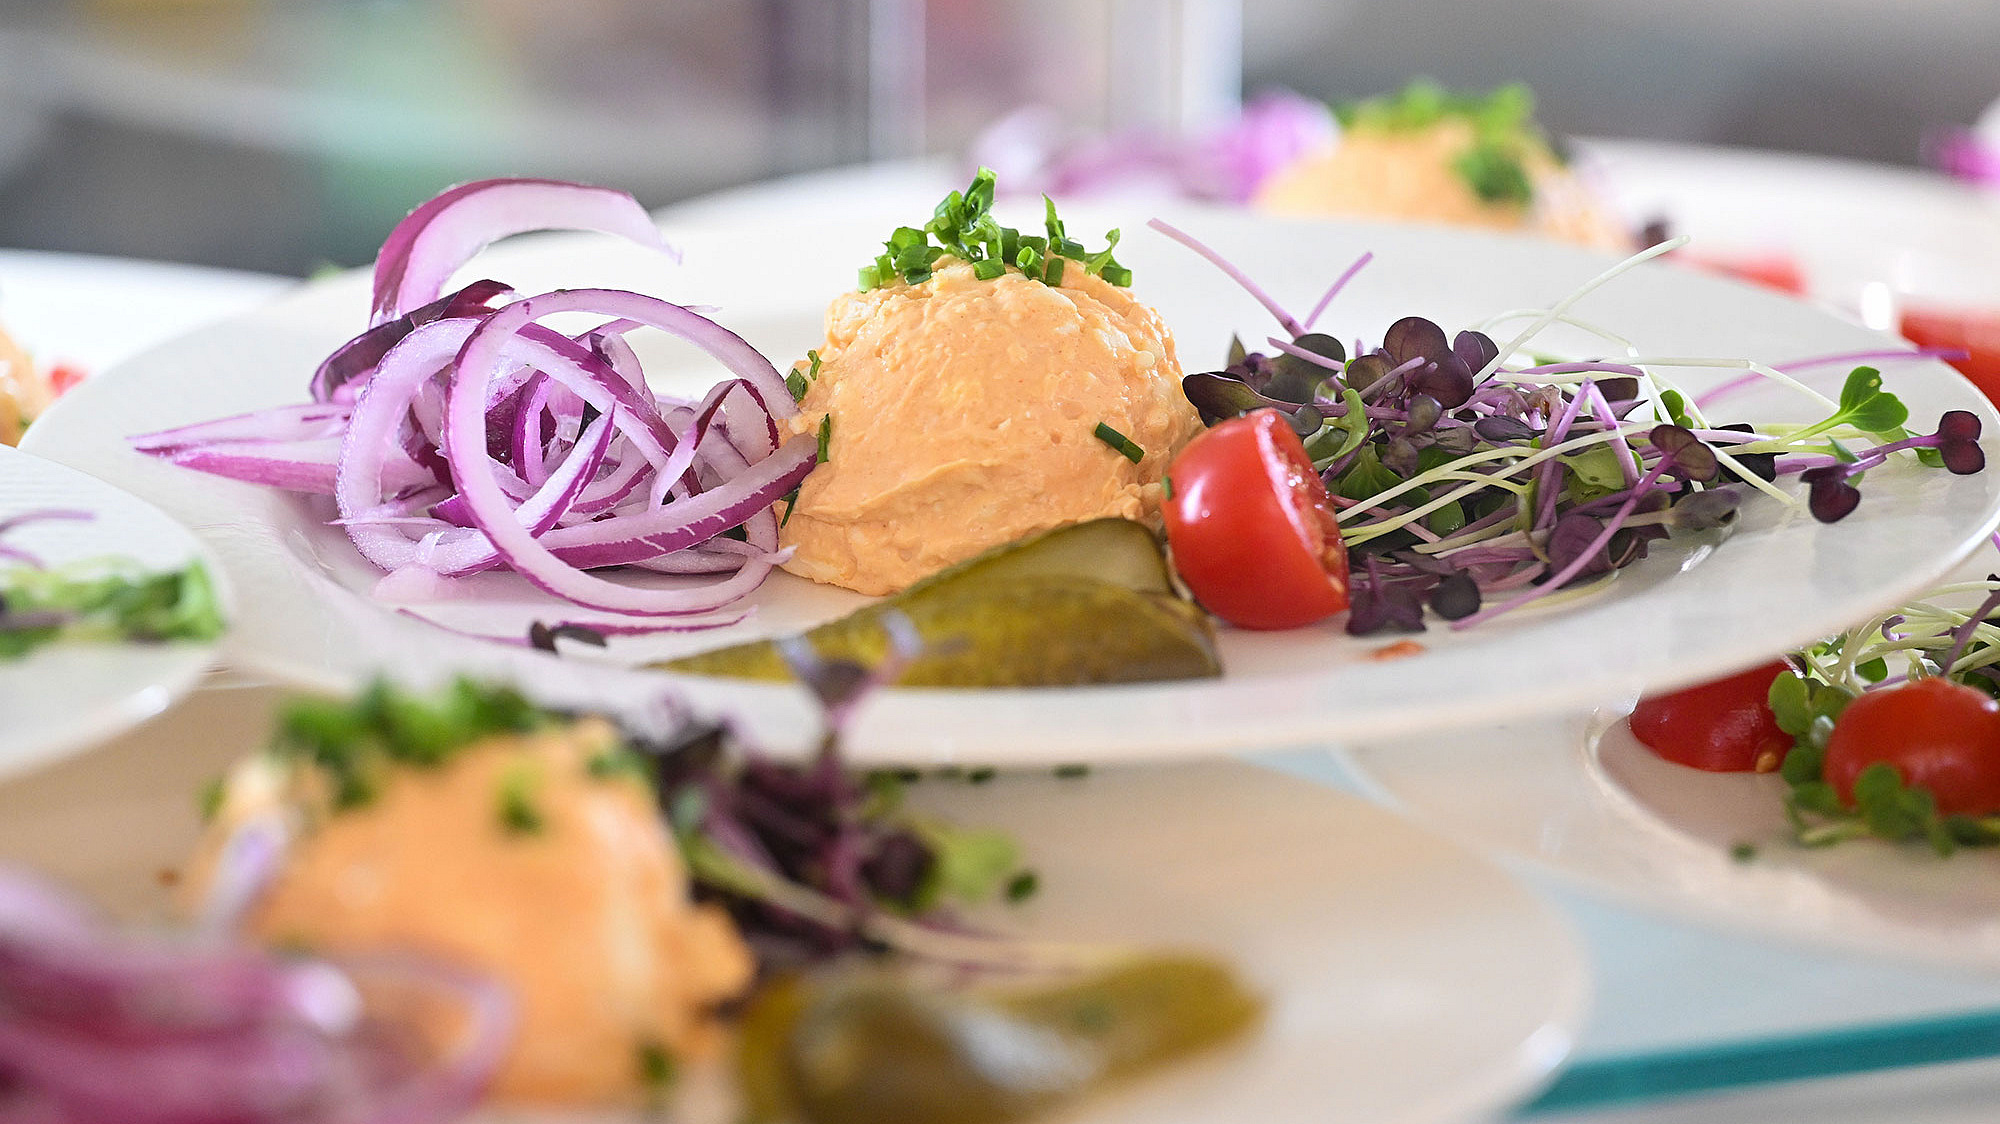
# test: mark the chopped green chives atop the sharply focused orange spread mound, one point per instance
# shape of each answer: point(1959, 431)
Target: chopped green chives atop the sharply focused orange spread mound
point(963, 227)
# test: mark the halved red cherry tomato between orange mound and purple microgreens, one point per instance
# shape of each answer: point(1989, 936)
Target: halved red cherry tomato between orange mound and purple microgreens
point(1251, 527)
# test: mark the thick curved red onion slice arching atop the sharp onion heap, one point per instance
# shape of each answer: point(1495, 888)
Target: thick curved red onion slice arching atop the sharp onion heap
point(445, 233)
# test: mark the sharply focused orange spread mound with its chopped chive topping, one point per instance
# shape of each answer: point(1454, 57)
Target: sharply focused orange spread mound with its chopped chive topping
point(983, 385)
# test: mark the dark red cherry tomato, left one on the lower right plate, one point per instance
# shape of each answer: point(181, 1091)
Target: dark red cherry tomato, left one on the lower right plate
point(1723, 727)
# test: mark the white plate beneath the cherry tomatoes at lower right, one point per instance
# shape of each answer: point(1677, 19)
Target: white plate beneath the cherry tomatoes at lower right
point(1581, 799)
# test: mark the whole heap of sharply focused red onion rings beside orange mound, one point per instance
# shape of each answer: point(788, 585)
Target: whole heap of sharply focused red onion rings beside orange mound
point(457, 437)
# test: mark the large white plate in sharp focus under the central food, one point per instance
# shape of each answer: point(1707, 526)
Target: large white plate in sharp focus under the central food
point(1683, 615)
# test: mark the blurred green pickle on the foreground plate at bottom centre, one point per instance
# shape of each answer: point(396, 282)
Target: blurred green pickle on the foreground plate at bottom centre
point(879, 1049)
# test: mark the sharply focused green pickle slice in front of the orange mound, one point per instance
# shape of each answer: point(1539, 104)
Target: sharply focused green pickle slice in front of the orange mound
point(1081, 605)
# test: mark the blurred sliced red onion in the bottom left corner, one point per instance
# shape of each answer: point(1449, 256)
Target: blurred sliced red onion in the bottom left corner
point(115, 1029)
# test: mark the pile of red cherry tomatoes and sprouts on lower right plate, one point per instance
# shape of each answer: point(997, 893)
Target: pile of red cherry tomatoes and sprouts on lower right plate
point(1889, 731)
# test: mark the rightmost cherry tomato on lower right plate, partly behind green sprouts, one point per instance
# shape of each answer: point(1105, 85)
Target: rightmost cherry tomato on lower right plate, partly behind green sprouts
point(1941, 737)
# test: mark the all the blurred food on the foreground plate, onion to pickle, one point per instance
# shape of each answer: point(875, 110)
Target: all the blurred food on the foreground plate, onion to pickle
point(409, 905)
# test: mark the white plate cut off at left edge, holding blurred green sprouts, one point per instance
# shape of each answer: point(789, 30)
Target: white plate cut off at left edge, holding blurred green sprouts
point(65, 697)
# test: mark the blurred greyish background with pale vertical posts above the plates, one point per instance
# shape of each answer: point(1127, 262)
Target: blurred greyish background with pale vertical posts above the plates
point(289, 135)
